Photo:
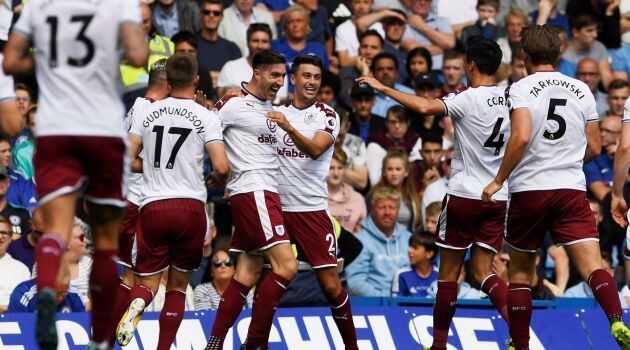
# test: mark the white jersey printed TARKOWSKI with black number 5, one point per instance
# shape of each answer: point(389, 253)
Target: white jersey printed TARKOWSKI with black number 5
point(560, 108)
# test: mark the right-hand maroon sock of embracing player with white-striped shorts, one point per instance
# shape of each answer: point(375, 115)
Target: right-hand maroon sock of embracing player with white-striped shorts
point(269, 295)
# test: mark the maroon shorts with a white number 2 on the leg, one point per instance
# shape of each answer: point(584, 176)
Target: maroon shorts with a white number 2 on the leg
point(314, 236)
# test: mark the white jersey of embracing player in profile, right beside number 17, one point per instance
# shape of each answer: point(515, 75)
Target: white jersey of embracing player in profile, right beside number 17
point(250, 142)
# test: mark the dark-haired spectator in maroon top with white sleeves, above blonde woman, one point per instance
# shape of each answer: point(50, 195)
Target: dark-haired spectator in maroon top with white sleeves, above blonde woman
point(398, 134)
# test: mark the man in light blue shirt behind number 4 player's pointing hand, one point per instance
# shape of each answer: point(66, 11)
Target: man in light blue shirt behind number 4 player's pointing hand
point(385, 70)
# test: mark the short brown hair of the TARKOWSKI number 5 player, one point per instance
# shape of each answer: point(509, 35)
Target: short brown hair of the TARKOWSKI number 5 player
point(541, 44)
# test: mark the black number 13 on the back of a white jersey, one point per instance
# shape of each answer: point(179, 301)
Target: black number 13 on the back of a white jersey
point(85, 20)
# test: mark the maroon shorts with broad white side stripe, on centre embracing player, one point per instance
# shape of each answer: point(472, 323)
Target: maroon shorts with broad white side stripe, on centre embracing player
point(258, 222)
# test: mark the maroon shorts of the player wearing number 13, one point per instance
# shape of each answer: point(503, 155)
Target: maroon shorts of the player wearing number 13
point(97, 165)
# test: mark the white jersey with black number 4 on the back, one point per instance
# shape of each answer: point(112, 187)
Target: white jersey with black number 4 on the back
point(482, 128)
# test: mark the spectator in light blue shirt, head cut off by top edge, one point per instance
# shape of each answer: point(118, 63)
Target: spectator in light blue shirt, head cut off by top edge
point(172, 16)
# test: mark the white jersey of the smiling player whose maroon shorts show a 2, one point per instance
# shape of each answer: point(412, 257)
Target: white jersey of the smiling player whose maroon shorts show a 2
point(302, 181)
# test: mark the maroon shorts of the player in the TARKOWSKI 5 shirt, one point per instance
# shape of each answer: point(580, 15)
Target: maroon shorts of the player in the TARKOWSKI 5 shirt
point(565, 214)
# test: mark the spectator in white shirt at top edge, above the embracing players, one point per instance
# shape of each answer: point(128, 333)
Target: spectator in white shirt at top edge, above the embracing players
point(238, 18)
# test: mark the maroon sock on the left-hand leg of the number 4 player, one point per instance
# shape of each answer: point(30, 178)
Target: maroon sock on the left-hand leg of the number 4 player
point(443, 311)
